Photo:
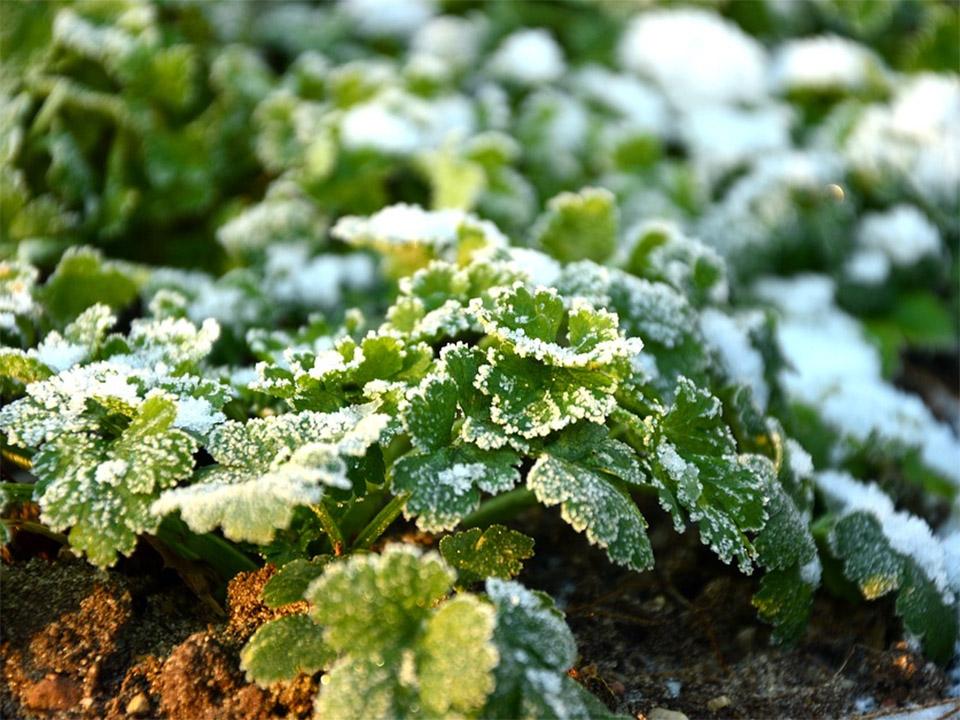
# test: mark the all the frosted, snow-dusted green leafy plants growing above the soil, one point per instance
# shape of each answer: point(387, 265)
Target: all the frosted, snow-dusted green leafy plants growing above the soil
point(362, 292)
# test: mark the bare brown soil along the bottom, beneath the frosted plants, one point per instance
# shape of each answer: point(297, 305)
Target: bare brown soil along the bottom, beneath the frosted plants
point(78, 643)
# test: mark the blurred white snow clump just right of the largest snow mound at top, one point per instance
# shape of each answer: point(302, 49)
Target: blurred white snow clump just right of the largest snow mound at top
point(822, 63)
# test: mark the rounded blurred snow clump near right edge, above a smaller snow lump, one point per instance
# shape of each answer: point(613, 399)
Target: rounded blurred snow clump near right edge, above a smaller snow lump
point(902, 233)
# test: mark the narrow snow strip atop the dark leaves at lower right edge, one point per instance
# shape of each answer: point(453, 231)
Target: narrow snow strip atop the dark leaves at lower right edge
point(906, 533)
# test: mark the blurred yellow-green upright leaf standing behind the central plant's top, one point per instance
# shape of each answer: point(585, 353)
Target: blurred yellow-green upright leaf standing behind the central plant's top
point(579, 226)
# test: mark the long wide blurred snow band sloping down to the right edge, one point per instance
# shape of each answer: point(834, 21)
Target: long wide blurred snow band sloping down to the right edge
point(838, 371)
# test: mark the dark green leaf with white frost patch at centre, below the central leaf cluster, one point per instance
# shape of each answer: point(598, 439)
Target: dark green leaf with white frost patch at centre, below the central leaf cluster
point(444, 485)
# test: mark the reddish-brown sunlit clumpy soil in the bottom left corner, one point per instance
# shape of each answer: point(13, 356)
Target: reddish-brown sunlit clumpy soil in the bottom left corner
point(82, 643)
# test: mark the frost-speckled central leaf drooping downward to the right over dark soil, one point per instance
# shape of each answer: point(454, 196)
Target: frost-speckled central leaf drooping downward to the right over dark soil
point(588, 475)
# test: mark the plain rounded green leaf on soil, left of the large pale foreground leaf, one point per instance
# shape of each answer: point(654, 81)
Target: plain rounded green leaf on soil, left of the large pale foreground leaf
point(283, 648)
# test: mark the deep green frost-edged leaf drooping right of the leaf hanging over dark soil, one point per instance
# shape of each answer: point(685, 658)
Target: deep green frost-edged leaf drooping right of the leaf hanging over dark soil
point(695, 456)
